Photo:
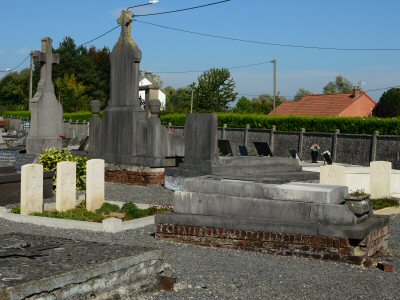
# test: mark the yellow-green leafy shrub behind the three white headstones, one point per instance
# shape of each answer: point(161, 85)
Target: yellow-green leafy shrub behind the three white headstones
point(51, 157)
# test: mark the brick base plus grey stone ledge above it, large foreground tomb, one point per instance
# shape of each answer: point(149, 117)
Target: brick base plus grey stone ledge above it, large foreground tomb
point(347, 247)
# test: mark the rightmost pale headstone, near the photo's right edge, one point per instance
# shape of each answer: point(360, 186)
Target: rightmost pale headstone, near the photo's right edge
point(380, 180)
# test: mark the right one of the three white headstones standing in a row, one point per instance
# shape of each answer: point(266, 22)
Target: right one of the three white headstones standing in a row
point(94, 184)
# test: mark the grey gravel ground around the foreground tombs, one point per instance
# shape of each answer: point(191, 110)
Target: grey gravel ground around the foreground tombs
point(210, 273)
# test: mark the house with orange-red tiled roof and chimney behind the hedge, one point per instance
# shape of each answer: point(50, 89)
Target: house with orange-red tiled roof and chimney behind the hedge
point(356, 104)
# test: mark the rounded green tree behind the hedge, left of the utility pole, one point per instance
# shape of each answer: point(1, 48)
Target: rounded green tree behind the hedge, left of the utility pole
point(214, 91)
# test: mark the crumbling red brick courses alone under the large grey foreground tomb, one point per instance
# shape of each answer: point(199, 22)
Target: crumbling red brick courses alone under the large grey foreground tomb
point(319, 247)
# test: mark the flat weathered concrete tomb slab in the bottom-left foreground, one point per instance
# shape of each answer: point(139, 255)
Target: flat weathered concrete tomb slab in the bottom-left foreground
point(48, 267)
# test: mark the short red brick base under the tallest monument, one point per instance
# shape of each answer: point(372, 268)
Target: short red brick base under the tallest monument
point(134, 175)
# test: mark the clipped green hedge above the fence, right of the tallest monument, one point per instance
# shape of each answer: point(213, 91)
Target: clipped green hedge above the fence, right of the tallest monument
point(295, 123)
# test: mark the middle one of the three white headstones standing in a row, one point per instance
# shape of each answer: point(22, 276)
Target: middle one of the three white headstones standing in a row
point(66, 186)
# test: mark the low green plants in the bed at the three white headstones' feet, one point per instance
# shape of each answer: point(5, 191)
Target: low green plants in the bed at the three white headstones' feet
point(128, 211)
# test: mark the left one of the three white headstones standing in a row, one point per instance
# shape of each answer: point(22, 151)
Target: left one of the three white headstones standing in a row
point(31, 188)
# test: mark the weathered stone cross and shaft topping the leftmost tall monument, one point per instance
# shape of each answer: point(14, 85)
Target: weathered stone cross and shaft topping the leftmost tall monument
point(46, 58)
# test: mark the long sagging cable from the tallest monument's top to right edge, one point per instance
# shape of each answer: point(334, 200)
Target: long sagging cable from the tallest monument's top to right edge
point(266, 43)
